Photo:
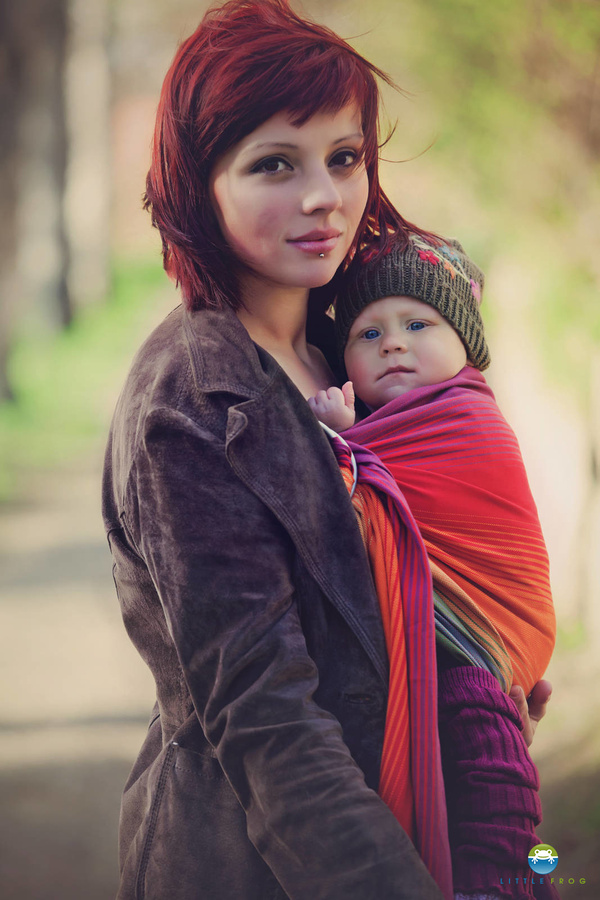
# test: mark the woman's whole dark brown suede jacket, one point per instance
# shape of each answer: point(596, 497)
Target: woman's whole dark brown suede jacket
point(245, 587)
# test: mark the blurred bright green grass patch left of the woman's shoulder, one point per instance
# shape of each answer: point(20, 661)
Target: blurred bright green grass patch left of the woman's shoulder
point(66, 385)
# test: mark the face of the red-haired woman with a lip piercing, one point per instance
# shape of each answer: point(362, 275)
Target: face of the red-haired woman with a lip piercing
point(289, 199)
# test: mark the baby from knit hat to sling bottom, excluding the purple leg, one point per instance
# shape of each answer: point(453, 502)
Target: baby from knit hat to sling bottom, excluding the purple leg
point(412, 339)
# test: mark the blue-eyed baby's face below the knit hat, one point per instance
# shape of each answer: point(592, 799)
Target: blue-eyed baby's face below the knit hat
point(397, 344)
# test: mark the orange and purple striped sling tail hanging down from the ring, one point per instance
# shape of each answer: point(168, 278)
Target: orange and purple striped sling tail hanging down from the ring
point(411, 781)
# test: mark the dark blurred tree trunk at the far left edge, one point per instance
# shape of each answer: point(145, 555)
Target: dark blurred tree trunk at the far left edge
point(34, 254)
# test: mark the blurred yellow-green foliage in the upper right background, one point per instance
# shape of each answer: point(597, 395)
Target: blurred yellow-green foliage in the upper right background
point(512, 88)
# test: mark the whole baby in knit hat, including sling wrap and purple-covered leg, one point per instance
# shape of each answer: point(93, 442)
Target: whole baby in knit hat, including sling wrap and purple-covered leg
point(410, 333)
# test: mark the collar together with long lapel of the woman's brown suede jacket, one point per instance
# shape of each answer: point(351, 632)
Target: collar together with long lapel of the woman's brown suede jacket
point(277, 448)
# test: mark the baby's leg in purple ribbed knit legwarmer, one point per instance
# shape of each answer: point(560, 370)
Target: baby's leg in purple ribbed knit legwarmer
point(491, 787)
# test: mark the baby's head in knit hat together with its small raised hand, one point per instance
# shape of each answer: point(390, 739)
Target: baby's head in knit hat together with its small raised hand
point(398, 327)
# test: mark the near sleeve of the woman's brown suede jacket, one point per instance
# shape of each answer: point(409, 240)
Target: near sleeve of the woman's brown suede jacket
point(221, 564)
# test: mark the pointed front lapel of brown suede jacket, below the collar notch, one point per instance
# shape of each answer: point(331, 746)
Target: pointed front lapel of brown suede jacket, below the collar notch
point(276, 446)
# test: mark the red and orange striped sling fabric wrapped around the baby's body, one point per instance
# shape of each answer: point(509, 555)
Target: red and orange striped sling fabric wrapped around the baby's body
point(458, 465)
